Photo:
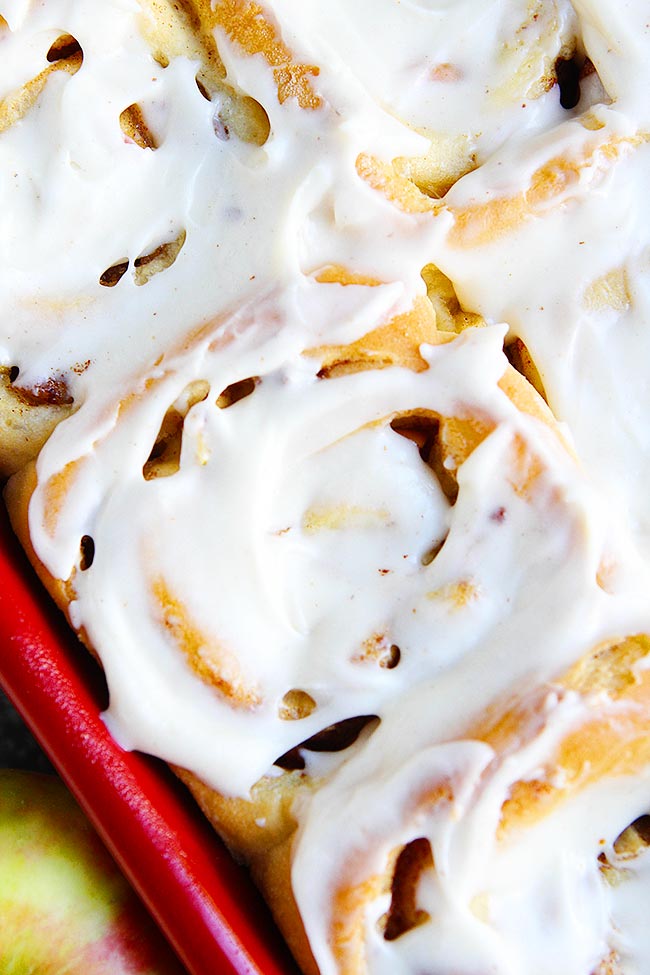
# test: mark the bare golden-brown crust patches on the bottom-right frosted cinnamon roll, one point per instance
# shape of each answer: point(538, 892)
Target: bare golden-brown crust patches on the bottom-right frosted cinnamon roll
point(613, 740)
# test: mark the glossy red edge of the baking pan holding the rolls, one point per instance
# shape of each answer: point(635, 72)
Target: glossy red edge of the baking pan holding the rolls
point(202, 900)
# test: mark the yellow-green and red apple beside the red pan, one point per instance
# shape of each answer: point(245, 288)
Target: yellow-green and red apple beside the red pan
point(65, 908)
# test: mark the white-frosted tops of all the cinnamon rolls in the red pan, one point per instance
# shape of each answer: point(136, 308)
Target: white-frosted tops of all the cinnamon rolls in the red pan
point(298, 488)
